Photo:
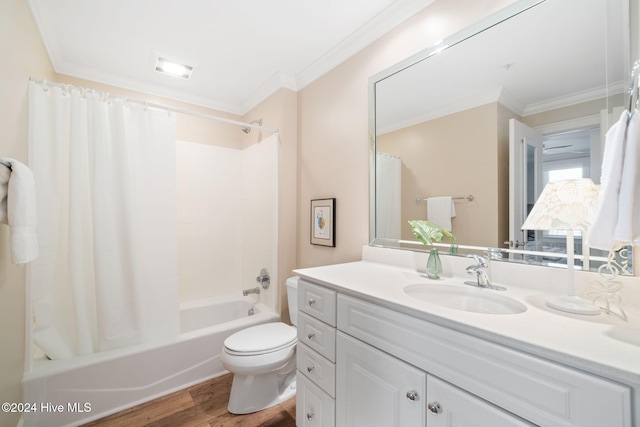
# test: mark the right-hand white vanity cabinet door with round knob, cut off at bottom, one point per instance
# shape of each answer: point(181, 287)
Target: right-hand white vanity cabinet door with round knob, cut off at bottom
point(449, 406)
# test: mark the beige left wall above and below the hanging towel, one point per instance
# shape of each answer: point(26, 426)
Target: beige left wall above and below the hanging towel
point(23, 54)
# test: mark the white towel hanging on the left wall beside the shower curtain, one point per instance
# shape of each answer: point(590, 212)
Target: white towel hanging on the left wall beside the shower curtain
point(19, 206)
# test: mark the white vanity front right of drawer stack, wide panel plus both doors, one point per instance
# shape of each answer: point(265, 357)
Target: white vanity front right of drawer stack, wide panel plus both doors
point(410, 372)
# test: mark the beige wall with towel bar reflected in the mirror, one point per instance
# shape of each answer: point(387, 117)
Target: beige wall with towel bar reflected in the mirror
point(442, 157)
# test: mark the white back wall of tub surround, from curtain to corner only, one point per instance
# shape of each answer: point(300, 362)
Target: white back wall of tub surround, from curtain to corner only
point(209, 206)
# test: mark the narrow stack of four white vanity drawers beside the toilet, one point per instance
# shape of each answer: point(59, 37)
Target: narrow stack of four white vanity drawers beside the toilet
point(316, 356)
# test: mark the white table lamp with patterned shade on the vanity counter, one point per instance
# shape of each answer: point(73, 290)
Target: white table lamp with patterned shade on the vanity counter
point(566, 205)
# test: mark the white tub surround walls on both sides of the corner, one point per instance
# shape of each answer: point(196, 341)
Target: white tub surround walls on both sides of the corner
point(226, 217)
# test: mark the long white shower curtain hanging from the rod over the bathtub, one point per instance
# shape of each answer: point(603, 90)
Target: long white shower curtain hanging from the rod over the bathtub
point(106, 185)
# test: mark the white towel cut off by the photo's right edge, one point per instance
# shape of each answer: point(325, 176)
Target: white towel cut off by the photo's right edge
point(628, 222)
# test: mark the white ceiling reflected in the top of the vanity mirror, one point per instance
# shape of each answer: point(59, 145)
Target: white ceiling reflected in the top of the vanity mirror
point(536, 61)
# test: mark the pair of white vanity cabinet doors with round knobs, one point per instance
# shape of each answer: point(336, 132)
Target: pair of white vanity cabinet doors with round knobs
point(377, 389)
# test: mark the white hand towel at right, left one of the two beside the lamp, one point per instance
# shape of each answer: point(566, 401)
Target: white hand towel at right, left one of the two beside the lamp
point(601, 232)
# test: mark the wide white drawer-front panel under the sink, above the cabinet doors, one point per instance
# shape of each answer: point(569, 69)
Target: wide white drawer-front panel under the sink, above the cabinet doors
point(538, 390)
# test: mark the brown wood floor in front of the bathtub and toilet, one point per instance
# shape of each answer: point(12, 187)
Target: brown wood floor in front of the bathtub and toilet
point(202, 405)
